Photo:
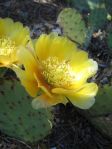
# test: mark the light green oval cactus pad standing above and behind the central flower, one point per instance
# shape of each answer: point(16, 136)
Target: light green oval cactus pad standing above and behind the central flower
point(72, 24)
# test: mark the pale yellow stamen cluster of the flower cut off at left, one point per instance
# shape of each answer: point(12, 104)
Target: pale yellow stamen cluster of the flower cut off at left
point(7, 46)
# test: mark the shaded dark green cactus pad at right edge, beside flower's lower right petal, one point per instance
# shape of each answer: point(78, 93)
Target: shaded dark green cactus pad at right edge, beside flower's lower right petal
point(103, 104)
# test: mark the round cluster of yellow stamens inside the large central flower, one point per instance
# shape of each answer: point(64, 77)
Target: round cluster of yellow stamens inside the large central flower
point(56, 73)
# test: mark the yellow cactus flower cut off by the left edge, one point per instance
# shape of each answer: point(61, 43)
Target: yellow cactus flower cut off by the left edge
point(12, 36)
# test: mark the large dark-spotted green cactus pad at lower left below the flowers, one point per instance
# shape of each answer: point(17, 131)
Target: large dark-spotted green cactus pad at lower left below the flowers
point(17, 117)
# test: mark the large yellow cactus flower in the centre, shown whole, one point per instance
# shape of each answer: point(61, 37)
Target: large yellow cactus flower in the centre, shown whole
point(57, 71)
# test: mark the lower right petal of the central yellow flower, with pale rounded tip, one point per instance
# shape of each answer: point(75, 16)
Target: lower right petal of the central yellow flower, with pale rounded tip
point(83, 98)
